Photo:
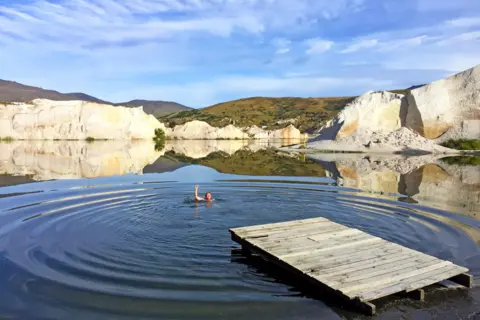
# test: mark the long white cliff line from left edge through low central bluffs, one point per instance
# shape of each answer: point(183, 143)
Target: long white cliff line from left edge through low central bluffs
point(44, 119)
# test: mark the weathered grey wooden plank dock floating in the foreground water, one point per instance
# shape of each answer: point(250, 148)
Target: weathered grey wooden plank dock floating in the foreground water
point(355, 265)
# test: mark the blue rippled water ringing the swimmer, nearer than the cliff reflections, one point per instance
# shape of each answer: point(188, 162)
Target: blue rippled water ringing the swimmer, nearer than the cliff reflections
point(145, 242)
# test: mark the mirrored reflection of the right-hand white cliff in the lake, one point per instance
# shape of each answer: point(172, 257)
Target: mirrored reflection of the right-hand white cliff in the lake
point(424, 179)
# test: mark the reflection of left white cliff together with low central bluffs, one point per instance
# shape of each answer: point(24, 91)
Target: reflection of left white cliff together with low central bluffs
point(53, 160)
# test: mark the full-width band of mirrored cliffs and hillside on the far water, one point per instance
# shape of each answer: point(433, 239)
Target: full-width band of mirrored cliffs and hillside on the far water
point(427, 179)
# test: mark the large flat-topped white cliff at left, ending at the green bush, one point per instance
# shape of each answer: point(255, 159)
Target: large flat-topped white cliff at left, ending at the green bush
point(48, 120)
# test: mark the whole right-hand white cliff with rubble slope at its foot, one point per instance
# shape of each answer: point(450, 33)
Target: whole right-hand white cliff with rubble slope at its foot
point(383, 121)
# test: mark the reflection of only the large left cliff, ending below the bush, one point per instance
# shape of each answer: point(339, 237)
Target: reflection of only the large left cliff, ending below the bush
point(48, 160)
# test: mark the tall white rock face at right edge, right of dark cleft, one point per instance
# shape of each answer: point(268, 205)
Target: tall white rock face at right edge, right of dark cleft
point(448, 108)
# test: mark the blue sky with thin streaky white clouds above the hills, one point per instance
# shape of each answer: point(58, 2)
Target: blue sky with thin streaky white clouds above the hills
point(202, 52)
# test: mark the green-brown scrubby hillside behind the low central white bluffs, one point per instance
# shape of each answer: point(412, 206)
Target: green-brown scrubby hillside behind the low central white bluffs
point(308, 113)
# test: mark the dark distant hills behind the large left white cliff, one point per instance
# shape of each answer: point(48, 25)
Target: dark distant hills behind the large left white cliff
point(11, 91)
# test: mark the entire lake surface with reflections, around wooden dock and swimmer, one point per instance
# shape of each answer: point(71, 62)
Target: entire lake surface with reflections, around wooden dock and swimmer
point(109, 229)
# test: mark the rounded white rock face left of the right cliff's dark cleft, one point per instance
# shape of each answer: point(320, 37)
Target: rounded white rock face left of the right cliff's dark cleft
point(372, 112)
